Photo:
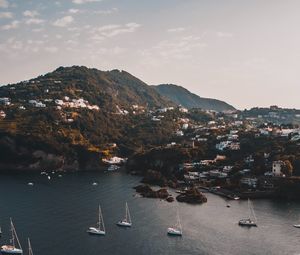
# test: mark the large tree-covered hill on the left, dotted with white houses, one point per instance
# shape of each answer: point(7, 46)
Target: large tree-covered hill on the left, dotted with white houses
point(68, 118)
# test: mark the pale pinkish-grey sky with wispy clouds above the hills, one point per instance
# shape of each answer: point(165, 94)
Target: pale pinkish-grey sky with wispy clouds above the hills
point(245, 52)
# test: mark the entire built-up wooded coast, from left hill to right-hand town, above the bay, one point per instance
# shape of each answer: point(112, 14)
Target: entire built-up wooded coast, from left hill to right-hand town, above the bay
point(87, 127)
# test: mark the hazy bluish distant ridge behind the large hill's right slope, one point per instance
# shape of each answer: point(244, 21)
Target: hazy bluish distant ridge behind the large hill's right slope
point(182, 96)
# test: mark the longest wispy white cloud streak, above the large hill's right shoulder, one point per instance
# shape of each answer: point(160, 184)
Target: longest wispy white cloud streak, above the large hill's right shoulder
point(114, 30)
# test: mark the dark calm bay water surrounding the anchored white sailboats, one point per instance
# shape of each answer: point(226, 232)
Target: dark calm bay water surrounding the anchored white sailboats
point(55, 215)
